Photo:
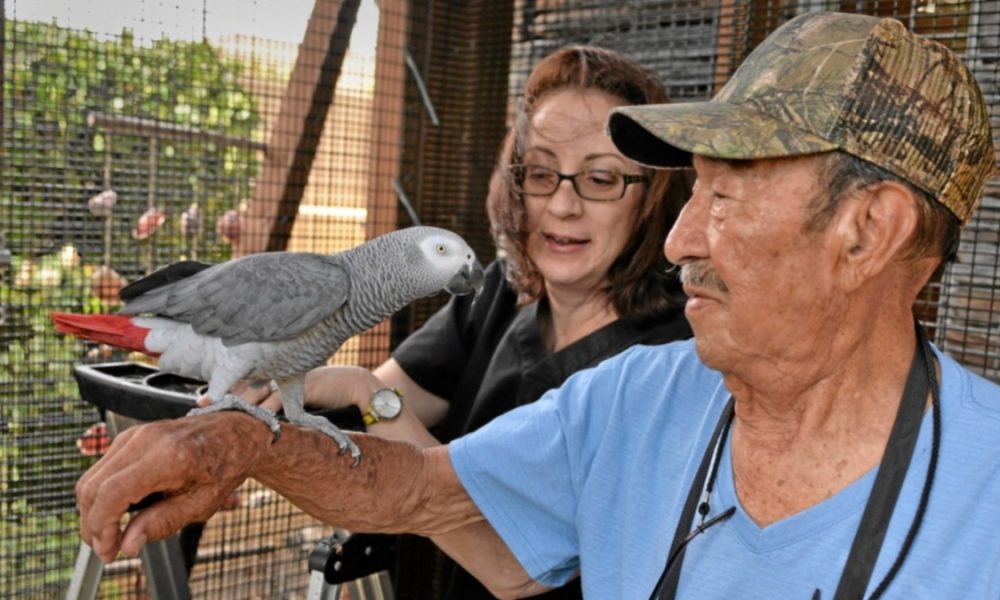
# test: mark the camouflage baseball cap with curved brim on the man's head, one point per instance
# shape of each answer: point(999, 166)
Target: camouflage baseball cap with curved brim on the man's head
point(825, 81)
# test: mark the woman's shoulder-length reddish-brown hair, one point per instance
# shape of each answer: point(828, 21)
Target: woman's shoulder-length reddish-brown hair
point(641, 285)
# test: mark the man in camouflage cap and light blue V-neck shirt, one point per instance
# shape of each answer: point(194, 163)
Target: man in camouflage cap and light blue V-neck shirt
point(810, 443)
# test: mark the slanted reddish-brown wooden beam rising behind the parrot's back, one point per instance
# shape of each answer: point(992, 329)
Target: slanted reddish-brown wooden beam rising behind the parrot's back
point(271, 213)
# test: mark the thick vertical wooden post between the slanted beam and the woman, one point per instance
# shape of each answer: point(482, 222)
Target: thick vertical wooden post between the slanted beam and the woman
point(462, 52)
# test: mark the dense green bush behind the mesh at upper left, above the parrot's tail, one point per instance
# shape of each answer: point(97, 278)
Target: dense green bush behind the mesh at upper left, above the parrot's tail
point(53, 77)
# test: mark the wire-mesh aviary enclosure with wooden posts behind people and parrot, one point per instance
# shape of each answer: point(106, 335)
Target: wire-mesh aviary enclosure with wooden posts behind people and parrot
point(136, 134)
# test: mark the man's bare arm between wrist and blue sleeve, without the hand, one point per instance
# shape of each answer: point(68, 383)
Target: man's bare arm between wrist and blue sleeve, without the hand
point(418, 493)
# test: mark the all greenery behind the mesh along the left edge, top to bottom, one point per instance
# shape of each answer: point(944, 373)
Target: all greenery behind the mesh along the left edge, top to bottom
point(53, 163)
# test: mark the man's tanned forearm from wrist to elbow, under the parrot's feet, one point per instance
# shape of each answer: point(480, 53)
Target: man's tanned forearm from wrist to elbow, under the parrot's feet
point(396, 487)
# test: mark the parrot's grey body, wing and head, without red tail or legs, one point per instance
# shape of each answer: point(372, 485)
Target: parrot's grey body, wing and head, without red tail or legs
point(280, 295)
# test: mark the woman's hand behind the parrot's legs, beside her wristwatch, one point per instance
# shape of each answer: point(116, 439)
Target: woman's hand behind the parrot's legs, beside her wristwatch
point(326, 388)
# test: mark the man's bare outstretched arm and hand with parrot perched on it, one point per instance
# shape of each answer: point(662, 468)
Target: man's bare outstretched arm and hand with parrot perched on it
point(196, 462)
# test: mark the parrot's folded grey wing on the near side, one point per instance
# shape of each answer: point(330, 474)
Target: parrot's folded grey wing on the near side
point(259, 298)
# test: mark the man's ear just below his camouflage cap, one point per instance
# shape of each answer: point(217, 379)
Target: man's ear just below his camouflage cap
point(875, 223)
